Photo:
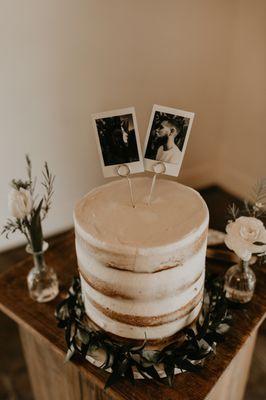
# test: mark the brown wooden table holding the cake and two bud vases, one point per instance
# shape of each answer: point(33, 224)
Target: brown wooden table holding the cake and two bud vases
point(223, 377)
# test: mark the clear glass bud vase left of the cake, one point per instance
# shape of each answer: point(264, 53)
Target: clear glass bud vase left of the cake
point(42, 280)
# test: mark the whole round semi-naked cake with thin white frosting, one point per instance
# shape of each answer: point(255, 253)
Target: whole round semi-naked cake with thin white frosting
point(142, 269)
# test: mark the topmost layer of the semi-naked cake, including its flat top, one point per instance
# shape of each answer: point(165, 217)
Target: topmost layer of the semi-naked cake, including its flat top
point(146, 238)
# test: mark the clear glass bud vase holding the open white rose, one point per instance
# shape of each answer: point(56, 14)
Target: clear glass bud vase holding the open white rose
point(239, 283)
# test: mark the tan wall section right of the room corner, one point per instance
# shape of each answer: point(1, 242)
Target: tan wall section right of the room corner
point(243, 152)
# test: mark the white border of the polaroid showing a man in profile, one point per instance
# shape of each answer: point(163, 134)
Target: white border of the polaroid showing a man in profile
point(170, 169)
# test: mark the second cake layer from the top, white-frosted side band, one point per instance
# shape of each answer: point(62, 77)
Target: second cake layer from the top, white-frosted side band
point(130, 285)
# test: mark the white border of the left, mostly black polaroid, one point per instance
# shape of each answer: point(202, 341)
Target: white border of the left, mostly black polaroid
point(111, 170)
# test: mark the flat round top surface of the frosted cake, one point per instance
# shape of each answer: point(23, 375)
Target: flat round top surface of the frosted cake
point(106, 213)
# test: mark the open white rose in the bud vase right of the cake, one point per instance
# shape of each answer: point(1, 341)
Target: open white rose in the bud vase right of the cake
point(242, 234)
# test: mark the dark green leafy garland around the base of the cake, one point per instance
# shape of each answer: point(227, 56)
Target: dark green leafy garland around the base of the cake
point(123, 359)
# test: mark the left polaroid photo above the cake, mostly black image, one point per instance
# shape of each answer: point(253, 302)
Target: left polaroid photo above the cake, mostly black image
point(118, 141)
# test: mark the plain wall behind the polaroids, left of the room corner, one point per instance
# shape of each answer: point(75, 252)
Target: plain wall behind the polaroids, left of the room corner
point(62, 60)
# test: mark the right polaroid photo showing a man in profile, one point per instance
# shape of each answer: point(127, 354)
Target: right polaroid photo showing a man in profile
point(167, 138)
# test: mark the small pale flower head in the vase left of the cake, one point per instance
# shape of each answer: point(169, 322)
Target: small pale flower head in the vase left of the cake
point(19, 203)
